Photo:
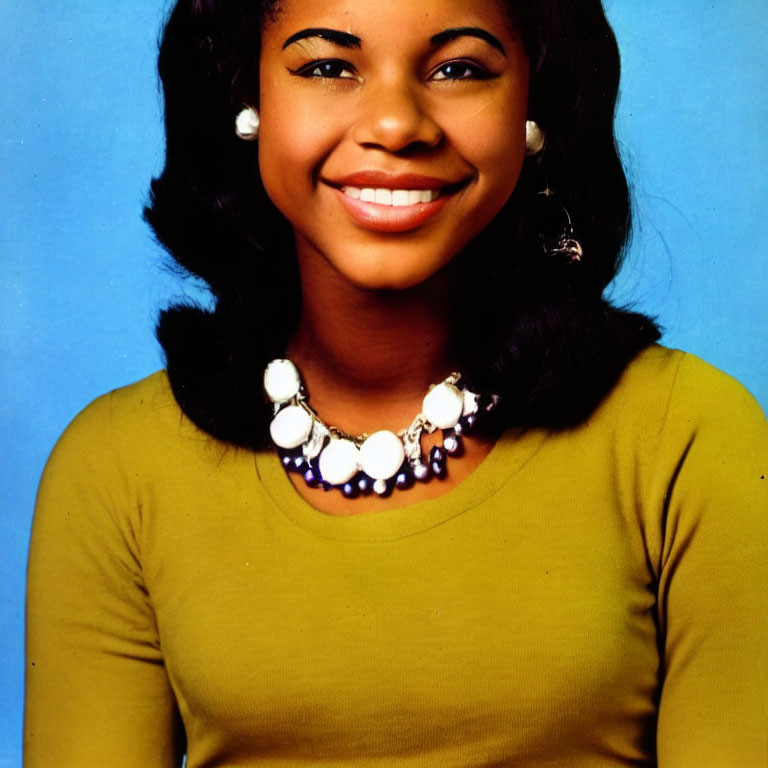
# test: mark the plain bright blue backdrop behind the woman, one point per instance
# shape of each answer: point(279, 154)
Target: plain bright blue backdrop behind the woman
point(81, 280)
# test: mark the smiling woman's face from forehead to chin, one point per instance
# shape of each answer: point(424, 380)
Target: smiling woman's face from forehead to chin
point(391, 132)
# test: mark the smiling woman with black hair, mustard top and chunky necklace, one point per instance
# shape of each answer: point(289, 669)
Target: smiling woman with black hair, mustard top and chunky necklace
point(412, 492)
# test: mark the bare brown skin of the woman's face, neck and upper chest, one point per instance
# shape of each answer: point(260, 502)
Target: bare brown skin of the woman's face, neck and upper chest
point(373, 331)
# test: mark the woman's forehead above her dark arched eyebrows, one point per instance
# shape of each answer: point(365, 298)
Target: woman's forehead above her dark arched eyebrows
point(394, 20)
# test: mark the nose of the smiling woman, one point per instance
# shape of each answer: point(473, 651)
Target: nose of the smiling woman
point(395, 117)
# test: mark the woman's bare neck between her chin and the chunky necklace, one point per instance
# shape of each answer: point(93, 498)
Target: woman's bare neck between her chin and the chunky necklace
point(368, 357)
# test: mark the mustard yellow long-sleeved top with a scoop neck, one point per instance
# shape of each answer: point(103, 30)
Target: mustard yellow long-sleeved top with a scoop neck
point(592, 597)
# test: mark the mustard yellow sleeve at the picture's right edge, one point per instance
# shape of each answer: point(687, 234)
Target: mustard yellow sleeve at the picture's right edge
point(713, 578)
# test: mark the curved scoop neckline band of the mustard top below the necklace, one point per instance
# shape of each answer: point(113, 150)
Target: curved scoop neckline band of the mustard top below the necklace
point(509, 454)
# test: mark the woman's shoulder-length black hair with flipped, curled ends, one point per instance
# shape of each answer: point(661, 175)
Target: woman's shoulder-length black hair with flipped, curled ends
point(532, 326)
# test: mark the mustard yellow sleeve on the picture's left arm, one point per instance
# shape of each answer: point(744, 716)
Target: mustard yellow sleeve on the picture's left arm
point(97, 692)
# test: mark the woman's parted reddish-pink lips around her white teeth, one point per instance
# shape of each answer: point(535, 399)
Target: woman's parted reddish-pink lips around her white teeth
point(389, 218)
